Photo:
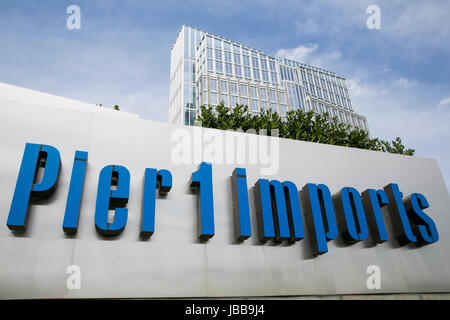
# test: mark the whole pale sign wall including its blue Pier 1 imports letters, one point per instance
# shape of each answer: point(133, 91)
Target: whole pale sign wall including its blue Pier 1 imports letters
point(95, 200)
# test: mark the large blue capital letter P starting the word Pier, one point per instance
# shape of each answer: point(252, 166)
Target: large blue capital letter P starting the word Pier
point(27, 190)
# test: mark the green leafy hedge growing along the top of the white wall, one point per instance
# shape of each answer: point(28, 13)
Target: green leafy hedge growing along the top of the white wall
point(298, 125)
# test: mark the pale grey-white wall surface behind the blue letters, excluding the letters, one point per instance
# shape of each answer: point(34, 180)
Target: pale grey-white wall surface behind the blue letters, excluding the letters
point(44, 262)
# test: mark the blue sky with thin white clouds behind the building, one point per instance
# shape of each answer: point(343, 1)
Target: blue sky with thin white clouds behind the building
point(398, 75)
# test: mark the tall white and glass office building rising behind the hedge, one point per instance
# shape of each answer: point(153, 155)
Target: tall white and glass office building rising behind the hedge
point(218, 70)
